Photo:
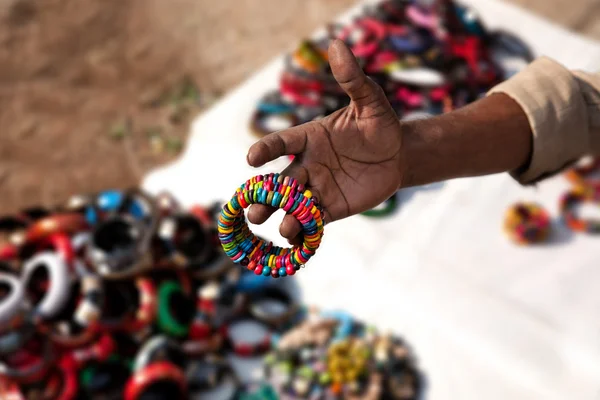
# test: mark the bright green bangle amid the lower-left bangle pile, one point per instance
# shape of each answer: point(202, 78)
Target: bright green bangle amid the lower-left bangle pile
point(168, 322)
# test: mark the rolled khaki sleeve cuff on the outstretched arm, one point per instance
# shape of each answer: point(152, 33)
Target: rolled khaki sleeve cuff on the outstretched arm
point(563, 108)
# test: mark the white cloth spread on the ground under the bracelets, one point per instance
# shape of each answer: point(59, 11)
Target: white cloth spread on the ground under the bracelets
point(487, 319)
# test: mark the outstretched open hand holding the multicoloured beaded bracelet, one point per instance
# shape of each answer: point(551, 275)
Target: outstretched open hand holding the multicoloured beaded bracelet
point(351, 160)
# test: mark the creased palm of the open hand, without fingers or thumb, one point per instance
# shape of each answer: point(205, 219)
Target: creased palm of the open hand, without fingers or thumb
point(352, 155)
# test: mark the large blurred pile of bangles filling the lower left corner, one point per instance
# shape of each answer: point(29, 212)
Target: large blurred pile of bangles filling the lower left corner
point(122, 295)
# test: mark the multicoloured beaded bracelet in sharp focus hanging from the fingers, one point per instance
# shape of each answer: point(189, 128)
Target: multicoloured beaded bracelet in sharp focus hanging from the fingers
point(243, 247)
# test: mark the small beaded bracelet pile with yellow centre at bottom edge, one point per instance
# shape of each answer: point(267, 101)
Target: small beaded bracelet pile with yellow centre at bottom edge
point(333, 356)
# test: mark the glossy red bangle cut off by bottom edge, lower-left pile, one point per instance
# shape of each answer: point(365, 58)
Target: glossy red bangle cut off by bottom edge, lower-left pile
point(145, 380)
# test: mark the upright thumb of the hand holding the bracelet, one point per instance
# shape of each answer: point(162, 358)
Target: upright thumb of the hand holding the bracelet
point(349, 75)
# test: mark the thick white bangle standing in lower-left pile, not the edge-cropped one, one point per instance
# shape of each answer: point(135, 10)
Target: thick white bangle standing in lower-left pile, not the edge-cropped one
point(58, 293)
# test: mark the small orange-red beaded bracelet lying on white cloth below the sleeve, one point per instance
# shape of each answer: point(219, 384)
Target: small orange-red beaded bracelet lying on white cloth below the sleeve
point(527, 223)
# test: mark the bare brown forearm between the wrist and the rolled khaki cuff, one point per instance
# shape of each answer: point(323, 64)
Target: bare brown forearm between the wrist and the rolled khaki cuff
point(489, 136)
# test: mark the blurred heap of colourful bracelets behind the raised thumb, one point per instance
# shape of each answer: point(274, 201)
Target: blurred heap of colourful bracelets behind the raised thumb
point(429, 56)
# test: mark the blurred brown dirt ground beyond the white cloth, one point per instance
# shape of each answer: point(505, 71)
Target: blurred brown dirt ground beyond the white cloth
point(93, 94)
